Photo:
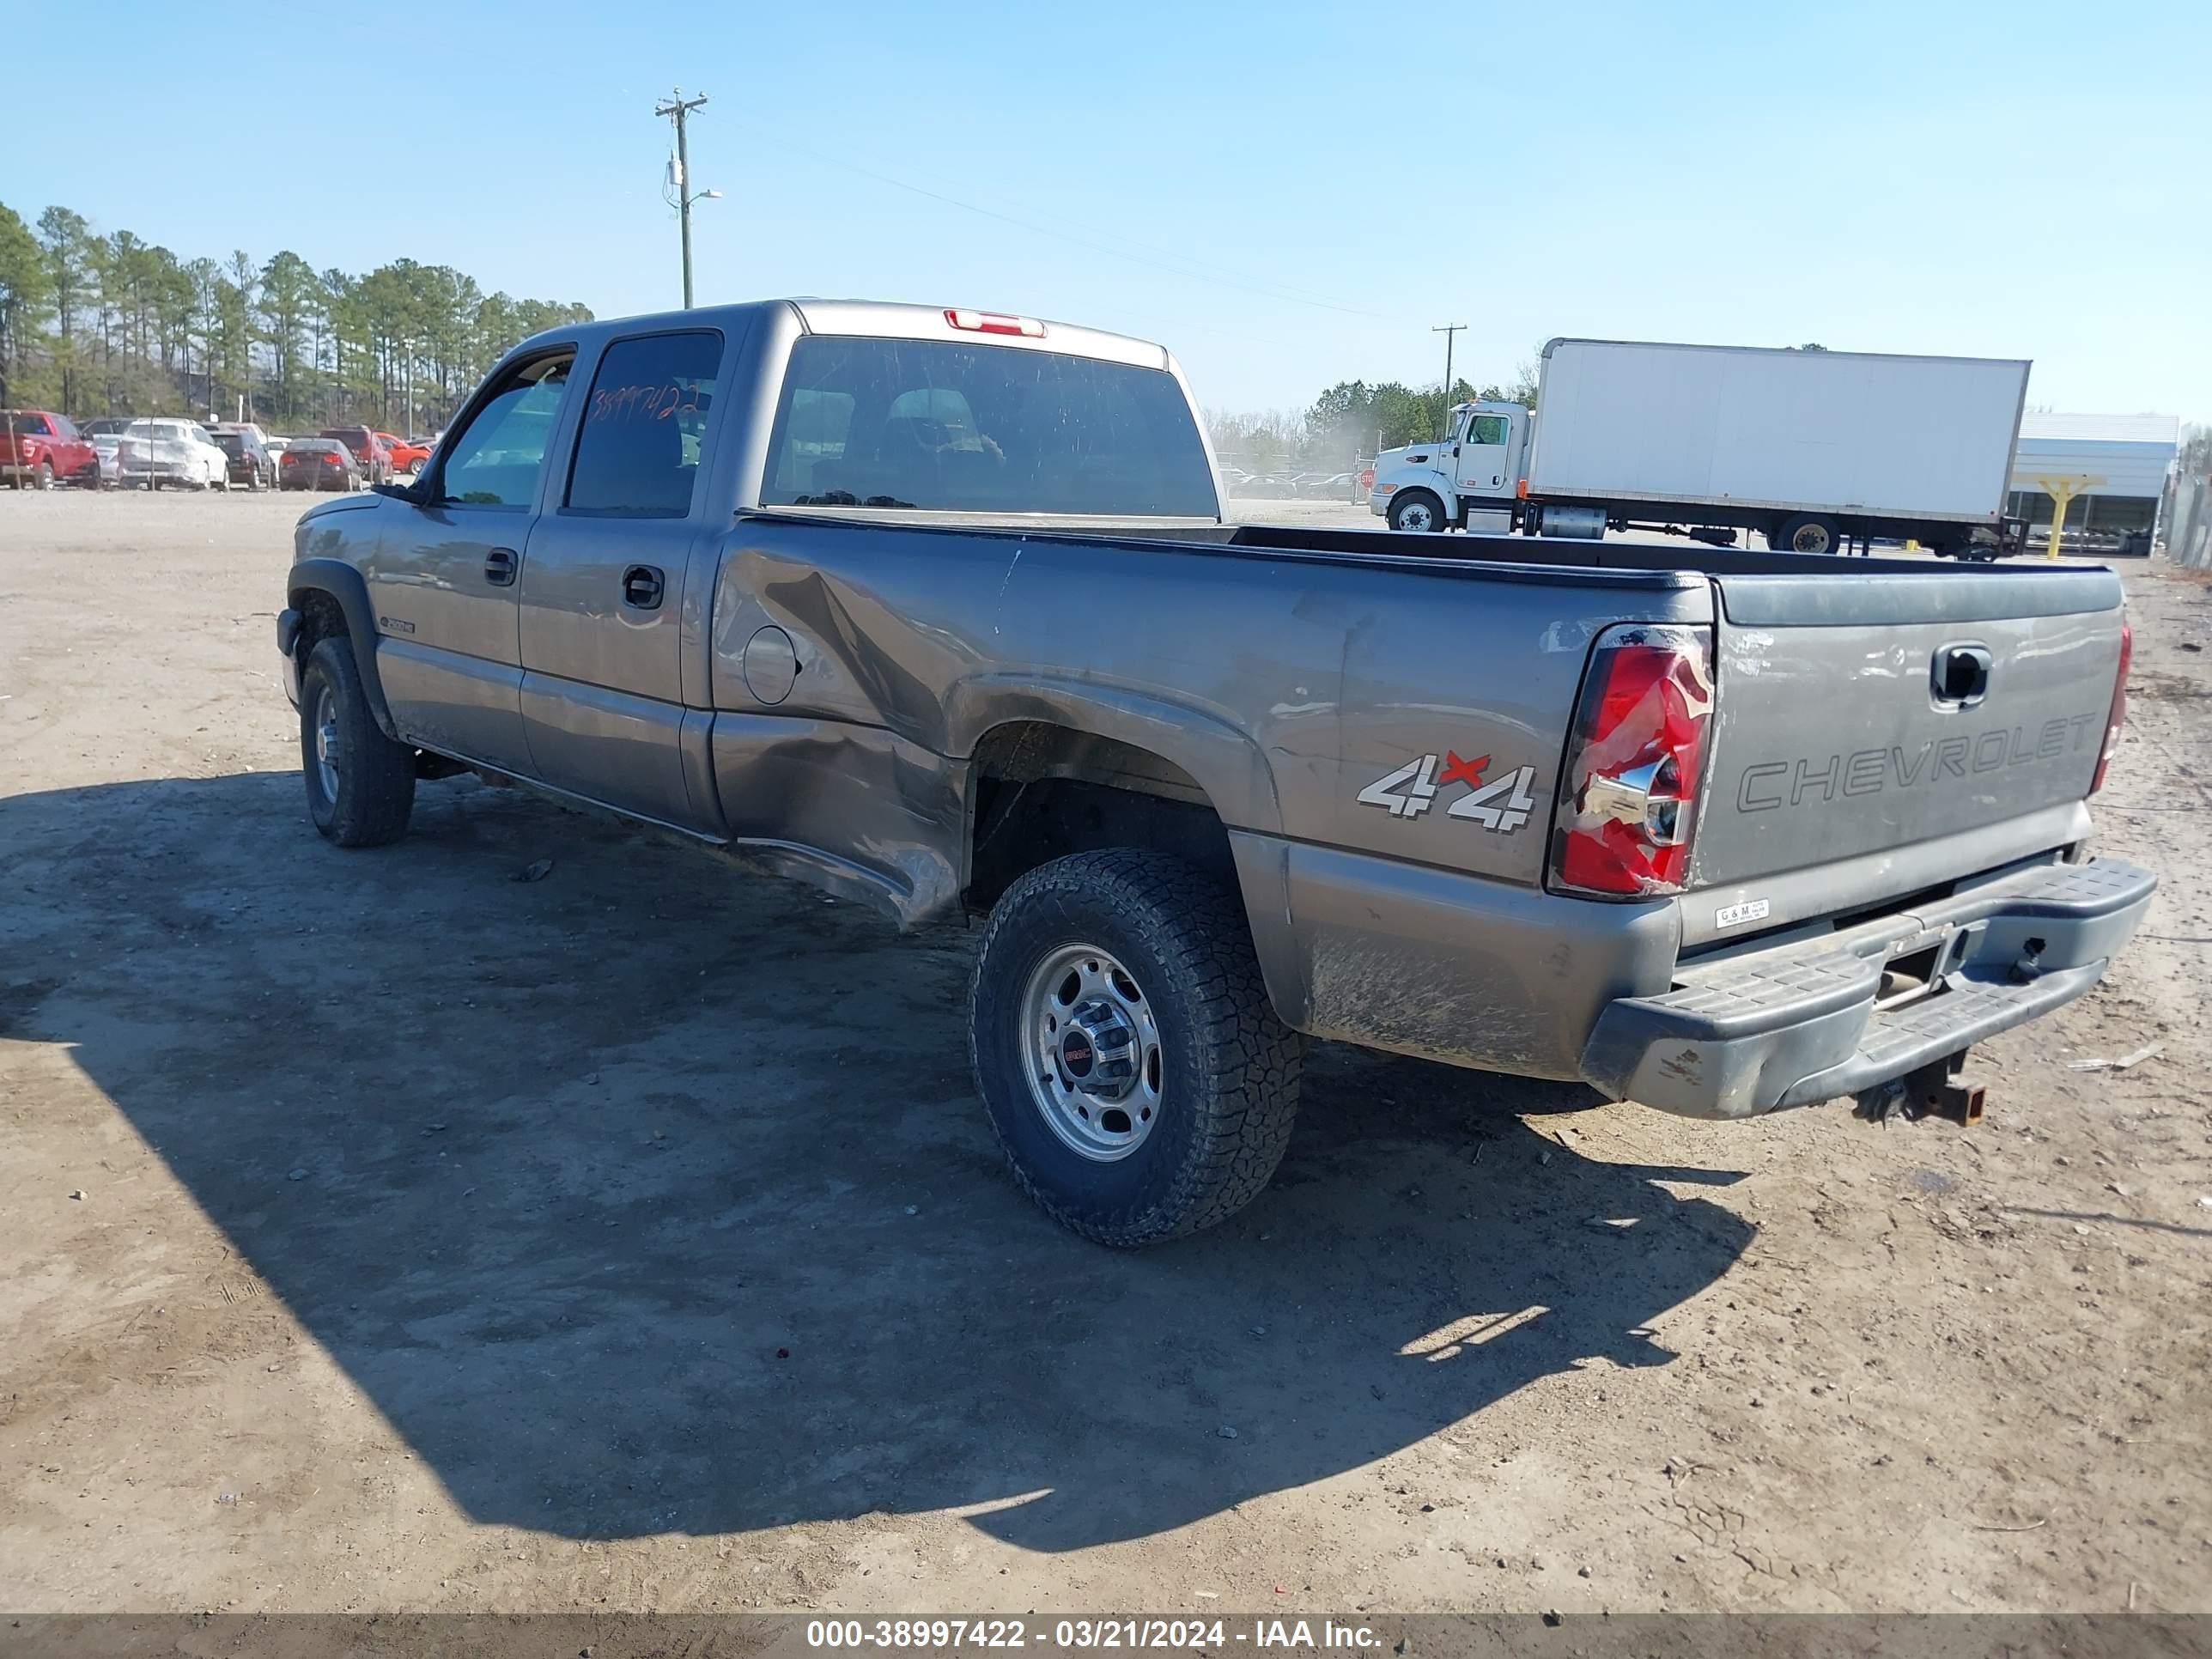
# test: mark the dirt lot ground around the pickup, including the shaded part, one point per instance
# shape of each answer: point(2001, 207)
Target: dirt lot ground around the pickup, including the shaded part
point(388, 1233)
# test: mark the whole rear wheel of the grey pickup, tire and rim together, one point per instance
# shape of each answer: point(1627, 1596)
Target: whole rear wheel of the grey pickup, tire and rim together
point(1127, 1052)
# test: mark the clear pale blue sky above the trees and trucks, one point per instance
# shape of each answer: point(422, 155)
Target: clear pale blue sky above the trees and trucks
point(1288, 196)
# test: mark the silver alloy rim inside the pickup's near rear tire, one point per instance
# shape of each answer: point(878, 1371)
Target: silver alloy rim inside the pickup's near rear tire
point(1092, 1054)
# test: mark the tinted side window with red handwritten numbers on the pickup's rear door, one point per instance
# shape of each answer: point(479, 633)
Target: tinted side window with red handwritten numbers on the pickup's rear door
point(645, 421)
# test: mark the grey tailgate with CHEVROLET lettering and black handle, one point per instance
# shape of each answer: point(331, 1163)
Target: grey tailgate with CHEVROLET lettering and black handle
point(1857, 718)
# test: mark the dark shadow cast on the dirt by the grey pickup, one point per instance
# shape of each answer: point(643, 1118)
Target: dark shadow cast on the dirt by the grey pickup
point(656, 1198)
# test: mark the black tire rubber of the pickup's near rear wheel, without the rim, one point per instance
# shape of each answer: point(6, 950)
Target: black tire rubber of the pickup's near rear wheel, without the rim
point(1229, 1067)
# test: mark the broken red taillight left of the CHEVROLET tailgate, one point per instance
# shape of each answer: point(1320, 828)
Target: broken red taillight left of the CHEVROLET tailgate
point(1629, 797)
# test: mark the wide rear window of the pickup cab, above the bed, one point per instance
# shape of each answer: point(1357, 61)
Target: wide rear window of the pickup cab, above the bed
point(983, 430)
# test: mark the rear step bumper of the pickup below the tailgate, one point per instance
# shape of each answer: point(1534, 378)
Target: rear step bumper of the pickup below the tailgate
point(1802, 1023)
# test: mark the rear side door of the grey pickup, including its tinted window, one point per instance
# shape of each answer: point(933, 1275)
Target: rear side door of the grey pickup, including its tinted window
point(605, 583)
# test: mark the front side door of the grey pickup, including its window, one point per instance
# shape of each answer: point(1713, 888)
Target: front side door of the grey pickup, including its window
point(446, 574)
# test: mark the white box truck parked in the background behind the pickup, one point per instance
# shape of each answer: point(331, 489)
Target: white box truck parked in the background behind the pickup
point(1806, 448)
